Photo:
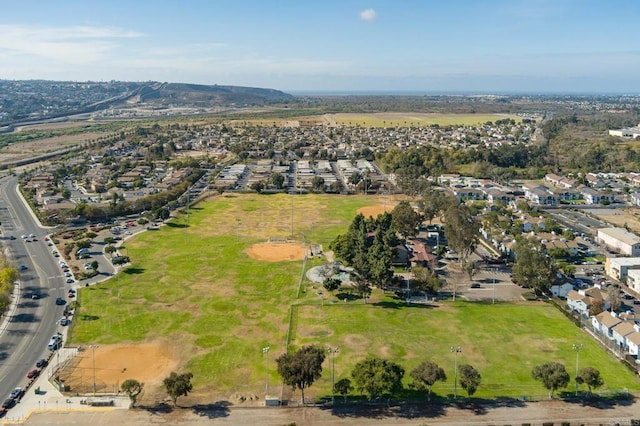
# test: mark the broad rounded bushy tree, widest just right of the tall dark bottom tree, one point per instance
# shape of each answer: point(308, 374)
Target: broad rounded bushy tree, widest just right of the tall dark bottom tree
point(376, 377)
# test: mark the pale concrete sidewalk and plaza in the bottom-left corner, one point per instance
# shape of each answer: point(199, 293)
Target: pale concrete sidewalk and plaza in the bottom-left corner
point(50, 399)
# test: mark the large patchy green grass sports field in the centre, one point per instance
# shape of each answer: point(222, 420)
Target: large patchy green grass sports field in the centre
point(192, 284)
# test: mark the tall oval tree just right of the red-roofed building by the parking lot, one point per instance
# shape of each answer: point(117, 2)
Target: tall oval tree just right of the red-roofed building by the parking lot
point(461, 230)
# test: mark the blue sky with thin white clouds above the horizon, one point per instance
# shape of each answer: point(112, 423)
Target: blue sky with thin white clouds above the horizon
point(472, 46)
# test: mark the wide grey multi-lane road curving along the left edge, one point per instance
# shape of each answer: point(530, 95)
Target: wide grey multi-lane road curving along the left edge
point(24, 338)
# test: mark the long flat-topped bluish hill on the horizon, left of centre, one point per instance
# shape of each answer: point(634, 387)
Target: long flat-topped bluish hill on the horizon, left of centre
point(204, 95)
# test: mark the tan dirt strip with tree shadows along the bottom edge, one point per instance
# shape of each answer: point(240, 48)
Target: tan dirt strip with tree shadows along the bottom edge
point(516, 413)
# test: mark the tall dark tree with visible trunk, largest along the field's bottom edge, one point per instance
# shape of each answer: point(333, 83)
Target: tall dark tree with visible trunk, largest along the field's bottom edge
point(300, 369)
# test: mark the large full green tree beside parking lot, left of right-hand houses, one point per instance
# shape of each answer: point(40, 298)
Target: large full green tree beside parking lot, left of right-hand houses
point(533, 269)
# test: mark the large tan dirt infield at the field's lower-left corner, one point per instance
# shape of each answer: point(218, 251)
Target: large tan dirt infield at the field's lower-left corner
point(113, 364)
